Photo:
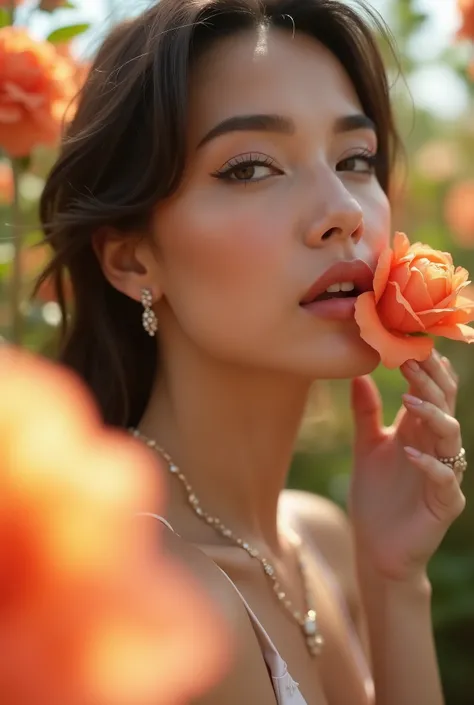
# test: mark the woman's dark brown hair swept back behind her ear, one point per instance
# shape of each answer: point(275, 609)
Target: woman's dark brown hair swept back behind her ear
point(126, 149)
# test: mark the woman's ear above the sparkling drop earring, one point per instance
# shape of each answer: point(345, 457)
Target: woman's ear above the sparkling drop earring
point(128, 262)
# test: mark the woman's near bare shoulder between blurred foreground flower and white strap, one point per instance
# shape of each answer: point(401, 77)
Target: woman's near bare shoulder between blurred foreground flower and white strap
point(247, 679)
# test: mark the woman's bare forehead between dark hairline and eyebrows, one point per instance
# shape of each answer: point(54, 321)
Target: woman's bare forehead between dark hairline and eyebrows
point(277, 73)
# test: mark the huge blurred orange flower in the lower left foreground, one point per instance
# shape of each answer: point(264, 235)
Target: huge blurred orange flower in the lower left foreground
point(92, 612)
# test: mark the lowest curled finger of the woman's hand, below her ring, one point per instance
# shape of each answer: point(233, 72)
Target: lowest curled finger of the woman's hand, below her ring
point(445, 501)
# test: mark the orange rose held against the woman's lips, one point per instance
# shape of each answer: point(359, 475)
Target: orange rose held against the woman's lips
point(417, 291)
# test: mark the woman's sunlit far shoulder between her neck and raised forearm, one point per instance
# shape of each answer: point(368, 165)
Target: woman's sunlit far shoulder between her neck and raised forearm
point(324, 525)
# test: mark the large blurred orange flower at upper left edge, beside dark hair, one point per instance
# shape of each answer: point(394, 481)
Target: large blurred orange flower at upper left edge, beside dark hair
point(37, 86)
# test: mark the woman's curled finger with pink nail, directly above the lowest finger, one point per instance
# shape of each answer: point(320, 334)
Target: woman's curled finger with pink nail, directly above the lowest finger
point(446, 429)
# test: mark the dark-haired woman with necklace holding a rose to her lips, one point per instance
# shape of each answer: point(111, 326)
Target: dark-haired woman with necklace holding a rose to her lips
point(227, 175)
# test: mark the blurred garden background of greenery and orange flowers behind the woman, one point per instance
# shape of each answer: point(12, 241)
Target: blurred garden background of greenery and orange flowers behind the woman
point(433, 196)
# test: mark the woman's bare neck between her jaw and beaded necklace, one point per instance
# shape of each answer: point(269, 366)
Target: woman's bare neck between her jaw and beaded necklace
point(231, 431)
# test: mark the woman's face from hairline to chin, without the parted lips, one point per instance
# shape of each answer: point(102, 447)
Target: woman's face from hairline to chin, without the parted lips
point(268, 205)
